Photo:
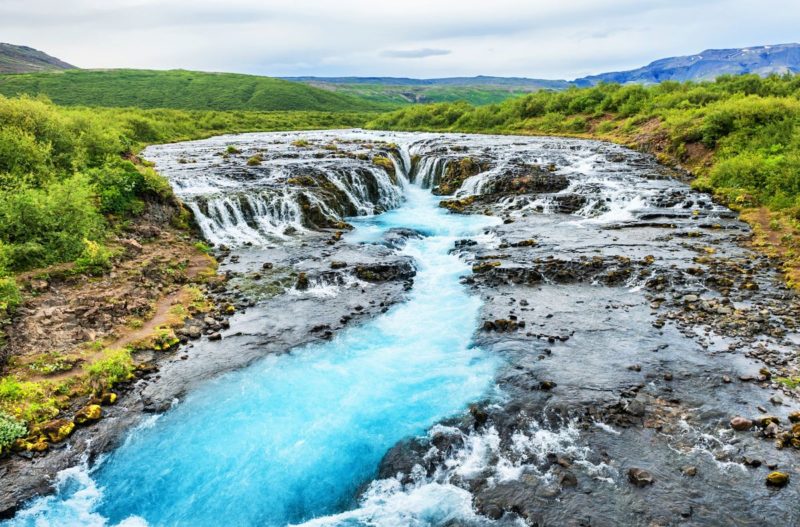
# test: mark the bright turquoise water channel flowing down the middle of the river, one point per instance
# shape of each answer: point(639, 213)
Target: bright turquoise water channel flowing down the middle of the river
point(295, 436)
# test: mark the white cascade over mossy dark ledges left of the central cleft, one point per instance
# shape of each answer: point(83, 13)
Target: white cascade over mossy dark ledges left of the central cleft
point(289, 192)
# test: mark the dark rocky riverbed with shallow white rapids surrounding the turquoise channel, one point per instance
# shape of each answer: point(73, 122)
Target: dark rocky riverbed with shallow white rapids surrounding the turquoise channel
point(646, 355)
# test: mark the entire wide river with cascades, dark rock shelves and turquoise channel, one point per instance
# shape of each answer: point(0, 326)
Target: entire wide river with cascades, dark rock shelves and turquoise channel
point(449, 329)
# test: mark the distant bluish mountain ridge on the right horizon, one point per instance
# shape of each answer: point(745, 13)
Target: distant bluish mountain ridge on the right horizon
point(708, 65)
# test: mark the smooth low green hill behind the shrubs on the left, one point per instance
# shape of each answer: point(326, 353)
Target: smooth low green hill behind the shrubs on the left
point(178, 89)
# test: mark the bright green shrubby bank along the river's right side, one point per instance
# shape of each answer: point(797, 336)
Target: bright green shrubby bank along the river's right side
point(739, 136)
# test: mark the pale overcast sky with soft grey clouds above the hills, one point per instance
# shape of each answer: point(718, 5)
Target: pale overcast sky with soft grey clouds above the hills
point(417, 38)
